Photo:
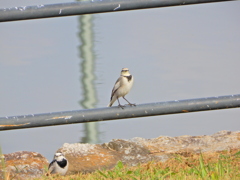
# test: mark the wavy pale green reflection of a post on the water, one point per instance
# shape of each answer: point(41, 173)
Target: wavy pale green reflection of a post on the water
point(87, 80)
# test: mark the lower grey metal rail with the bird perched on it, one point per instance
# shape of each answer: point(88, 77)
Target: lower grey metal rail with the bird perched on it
point(114, 113)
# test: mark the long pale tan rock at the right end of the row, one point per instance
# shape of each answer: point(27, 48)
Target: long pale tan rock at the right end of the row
point(223, 140)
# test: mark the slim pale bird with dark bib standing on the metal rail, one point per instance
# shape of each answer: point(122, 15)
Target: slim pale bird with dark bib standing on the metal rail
point(122, 87)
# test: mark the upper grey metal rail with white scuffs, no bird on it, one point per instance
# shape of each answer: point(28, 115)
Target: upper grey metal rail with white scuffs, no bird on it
point(88, 7)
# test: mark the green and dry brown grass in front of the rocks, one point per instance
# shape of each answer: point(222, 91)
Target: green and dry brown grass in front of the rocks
point(187, 166)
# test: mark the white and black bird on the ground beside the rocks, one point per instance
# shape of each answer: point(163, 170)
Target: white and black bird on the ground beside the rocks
point(59, 165)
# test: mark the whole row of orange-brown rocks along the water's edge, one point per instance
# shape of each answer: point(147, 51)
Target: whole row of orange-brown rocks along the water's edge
point(91, 157)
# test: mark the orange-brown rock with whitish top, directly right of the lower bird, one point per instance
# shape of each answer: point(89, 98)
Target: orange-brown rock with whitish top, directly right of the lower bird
point(88, 157)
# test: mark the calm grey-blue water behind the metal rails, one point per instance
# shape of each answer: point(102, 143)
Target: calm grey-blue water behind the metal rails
point(174, 53)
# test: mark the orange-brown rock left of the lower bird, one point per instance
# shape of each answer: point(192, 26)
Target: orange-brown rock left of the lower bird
point(23, 165)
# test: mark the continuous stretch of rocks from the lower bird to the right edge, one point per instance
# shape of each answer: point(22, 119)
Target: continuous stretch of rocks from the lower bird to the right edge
point(90, 157)
